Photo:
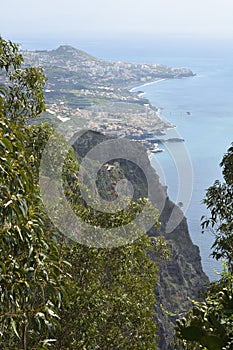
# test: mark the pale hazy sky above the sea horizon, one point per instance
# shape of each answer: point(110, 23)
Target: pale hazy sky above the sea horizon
point(28, 18)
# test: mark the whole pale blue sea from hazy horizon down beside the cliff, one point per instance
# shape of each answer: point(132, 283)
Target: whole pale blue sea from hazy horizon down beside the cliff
point(207, 127)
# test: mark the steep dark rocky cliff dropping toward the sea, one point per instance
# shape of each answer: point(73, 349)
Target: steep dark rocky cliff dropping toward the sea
point(179, 278)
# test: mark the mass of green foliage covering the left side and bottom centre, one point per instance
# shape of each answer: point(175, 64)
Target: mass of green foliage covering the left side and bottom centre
point(56, 293)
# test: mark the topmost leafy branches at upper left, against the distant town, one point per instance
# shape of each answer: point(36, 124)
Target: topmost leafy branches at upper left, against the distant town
point(22, 96)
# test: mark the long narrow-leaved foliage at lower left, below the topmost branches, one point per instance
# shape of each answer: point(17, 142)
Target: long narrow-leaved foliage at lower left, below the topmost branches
point(31, 263)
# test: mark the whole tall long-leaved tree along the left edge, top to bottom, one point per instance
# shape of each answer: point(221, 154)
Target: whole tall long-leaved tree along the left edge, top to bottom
point(31, 268)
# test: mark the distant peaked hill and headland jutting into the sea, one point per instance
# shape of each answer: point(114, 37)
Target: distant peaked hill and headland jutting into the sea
point(89, 71)
